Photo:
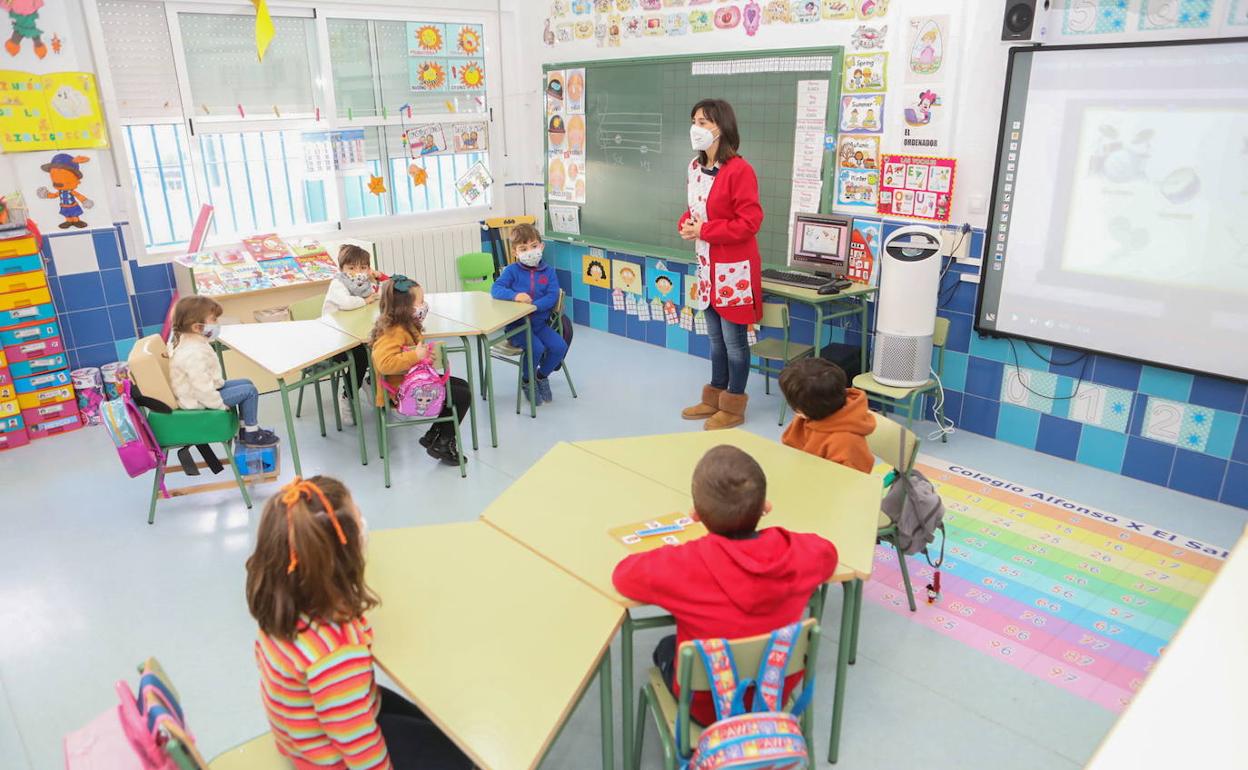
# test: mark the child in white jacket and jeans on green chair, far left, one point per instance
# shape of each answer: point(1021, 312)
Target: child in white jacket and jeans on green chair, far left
point(197, 374)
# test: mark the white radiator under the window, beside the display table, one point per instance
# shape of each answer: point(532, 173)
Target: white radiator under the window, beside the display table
point(427, 255)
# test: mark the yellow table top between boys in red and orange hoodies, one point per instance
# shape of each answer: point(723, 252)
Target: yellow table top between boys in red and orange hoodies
point(807, 494)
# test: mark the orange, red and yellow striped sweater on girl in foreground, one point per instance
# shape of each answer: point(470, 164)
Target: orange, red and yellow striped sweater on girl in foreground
point(321, 698)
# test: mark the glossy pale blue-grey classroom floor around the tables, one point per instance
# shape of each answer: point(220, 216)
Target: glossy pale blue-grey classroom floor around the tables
point(88, 590)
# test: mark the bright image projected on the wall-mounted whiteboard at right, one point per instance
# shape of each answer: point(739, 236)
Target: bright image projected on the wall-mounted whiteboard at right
point(1151, 194)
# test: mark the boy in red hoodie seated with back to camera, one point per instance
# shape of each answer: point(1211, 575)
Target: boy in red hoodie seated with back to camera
point(736, 582)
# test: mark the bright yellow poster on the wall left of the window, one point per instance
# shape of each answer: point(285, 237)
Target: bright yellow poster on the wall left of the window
point(58, 112)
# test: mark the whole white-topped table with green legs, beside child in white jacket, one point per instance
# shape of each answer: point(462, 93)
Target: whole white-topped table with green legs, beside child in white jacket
point(286, 349)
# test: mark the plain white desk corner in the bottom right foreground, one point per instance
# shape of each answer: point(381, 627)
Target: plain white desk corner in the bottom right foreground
point(1191, 711)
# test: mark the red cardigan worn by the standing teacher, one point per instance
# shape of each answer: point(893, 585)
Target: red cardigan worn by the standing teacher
point(733, 219)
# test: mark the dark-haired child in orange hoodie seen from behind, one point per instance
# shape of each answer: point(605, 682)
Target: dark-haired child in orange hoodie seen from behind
point(831, 420)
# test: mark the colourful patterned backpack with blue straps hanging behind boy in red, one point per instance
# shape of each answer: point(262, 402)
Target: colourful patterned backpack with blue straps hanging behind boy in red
point(767, 738)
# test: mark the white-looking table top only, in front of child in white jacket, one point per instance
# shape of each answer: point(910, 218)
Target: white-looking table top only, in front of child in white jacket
point(286, 346)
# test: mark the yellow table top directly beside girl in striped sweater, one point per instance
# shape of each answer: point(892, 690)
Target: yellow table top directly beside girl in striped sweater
point(506, 666)
